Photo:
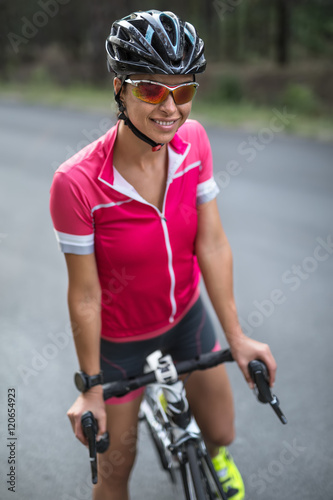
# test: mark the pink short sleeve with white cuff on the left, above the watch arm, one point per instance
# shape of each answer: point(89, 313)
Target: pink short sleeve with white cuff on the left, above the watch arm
point(71, 216)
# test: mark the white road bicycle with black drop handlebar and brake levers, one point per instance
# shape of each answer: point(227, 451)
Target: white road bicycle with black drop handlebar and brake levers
point(174, 432)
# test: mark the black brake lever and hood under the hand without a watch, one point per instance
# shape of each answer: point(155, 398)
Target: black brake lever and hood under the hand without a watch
point(259, 375)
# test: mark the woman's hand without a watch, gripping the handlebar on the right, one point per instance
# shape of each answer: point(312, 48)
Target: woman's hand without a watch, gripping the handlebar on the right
point(245, 350)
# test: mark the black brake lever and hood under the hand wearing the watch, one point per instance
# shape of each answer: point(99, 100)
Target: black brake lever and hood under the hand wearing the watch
point(90, 430)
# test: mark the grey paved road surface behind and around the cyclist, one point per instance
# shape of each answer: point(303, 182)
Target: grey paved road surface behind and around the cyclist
point(277, 207)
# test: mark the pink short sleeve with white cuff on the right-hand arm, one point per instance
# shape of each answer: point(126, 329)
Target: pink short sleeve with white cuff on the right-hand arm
point(207, 188)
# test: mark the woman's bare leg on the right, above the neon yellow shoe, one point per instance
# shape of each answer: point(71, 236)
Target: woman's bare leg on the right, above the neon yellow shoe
point(211, 401)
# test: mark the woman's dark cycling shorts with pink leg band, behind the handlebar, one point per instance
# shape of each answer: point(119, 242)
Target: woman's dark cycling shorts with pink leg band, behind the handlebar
point(192, 336)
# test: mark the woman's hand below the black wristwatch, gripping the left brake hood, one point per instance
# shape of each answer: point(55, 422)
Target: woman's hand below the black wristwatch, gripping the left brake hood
point(91, 400)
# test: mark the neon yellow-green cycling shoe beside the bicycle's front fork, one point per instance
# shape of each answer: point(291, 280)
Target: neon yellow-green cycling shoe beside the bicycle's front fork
point(229, 475)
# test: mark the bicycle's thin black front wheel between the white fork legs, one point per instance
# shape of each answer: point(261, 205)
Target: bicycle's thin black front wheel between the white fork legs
point(194, 487)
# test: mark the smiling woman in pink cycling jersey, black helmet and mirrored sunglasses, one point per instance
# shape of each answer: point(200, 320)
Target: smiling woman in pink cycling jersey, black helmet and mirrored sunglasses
point(135, 213)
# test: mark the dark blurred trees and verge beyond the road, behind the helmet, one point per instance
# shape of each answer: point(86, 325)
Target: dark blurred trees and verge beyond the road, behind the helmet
point(64, 40)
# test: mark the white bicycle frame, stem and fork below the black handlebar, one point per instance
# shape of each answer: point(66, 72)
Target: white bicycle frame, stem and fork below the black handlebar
point(166, 411)
